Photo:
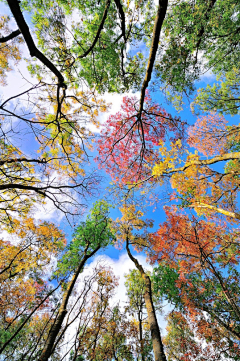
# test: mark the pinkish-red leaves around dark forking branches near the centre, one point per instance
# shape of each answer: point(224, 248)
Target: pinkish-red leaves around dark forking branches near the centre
point(128, 147)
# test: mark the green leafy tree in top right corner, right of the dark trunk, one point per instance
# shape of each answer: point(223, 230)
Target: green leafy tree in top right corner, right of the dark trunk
point(198, 36)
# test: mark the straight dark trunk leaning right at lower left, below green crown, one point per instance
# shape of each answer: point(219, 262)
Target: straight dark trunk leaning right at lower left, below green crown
point(54, 331)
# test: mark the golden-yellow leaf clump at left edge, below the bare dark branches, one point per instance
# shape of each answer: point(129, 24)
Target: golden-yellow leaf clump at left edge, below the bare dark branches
point(30, 248)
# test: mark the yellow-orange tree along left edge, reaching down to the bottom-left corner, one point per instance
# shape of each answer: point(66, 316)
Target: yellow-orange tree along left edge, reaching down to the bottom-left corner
point(25, 260)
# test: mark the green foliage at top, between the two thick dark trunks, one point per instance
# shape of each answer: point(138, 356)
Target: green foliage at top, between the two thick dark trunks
point(66, 40)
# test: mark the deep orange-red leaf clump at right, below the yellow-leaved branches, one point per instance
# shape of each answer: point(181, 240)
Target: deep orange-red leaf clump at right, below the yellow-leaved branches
point(186, 243)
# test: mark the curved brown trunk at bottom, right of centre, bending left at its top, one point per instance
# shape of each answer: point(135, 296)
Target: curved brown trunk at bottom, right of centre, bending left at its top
point(158, 350)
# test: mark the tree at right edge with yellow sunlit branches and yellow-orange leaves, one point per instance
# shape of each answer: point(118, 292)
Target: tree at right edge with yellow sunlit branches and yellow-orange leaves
point(199, 185)
